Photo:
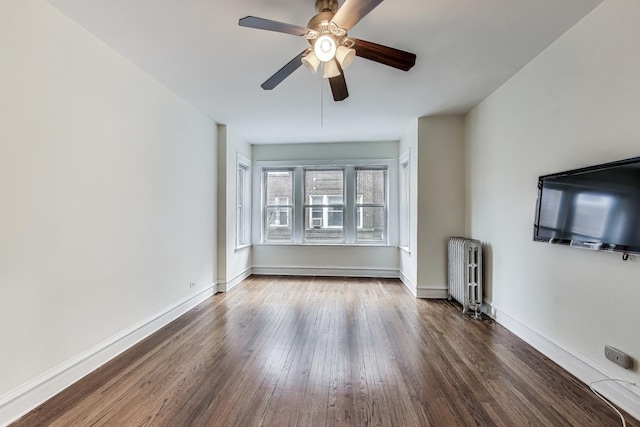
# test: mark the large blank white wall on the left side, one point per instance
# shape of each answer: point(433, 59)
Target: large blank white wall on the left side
point(107, 184)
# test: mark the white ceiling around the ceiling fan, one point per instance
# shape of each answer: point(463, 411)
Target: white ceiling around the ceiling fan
point(465, 50)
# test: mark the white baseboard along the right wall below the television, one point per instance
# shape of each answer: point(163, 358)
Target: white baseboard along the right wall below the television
point(582, 368)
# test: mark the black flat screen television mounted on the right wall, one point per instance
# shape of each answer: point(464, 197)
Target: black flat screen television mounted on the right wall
point(596, 207)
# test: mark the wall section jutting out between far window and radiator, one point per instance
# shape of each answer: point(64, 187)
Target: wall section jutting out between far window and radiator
point(437, 201)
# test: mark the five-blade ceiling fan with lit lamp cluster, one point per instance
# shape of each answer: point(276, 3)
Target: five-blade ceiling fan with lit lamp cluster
point(331, 45)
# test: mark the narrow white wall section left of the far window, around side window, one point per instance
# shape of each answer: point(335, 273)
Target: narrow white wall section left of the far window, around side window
point(234, 264)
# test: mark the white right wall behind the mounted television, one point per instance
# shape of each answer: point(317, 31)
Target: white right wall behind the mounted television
point(575, 105)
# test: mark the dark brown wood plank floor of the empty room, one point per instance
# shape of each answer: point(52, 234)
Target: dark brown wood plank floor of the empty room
point(317, 352)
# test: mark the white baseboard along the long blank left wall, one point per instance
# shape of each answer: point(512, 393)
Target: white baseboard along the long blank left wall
point(23, 399)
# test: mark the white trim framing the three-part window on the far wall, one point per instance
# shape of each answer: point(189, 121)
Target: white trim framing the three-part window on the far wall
point(298, 203)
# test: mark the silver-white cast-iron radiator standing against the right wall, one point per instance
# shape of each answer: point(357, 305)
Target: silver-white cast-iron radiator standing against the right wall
point(465, 273)
